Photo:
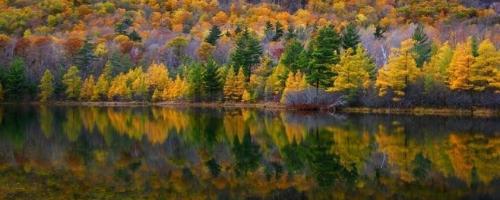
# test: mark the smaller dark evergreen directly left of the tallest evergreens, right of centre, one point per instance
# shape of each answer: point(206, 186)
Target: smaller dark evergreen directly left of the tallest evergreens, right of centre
point(293, 51)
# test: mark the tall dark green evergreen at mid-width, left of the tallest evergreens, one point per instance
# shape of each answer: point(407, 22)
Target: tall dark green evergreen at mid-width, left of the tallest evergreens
point(248, 52)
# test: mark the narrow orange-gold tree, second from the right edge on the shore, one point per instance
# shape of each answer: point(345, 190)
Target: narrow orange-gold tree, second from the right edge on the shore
point(460, 67)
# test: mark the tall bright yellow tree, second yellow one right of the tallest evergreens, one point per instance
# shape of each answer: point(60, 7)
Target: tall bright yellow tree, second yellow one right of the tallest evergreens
point(399, 72)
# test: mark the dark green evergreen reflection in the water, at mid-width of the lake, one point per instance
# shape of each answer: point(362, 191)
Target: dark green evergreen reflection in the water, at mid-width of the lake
point(246, 153)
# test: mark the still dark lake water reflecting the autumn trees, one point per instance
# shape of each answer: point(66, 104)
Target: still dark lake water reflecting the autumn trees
point(192, 153)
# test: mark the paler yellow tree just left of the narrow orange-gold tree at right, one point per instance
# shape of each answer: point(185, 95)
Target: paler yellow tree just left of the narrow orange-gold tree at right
point(436, 70)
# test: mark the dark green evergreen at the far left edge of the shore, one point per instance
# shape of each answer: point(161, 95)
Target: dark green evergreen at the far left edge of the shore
point(15, 80)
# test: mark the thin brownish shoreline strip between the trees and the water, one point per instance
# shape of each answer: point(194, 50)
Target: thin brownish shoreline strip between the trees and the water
point(416, 111)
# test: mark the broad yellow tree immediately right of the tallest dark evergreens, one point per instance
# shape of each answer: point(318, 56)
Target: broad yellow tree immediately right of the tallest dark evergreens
point(352, 73)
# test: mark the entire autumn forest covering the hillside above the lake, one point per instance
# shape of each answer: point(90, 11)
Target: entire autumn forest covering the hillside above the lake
point(376, 53)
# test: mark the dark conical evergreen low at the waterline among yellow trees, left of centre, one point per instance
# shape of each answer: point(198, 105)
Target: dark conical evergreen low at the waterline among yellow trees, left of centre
point(211, 80)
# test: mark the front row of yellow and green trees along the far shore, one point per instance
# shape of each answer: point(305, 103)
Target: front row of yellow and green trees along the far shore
point(418, 73)
